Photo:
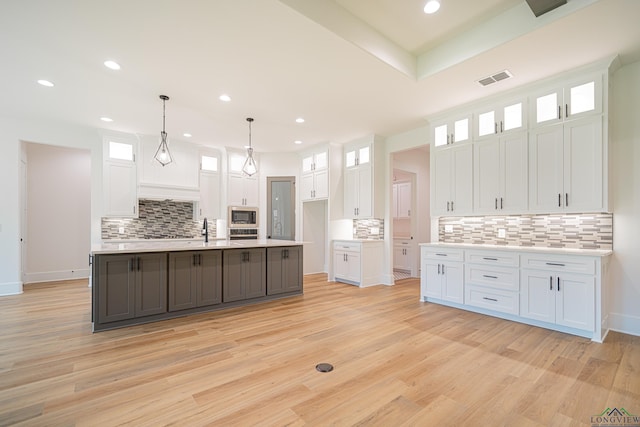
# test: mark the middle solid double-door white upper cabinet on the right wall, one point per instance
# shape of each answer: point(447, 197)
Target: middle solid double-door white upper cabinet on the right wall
point(500, 174)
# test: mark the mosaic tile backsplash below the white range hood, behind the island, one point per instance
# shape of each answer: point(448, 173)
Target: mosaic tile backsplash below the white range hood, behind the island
point(157, 219)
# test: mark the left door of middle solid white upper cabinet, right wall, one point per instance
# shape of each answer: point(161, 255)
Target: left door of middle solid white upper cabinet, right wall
point(487, 176)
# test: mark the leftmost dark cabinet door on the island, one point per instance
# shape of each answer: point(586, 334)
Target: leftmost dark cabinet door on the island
point(116, 288)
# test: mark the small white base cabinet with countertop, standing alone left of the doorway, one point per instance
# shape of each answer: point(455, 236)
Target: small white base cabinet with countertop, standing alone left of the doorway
point(358, 262)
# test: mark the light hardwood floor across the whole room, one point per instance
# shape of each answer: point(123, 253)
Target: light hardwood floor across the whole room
point(397, 361)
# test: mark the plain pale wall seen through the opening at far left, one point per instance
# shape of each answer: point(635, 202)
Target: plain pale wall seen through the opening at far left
point(58, 191)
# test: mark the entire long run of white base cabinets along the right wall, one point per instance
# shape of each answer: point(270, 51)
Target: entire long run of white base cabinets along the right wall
point(567, 293)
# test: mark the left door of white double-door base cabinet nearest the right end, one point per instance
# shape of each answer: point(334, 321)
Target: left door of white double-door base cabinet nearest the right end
point(537, 296)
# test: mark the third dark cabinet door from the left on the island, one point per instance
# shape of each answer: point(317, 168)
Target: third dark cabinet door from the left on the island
point(182, 280)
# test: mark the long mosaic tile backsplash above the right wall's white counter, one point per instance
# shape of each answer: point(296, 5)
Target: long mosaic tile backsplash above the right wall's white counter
point(580, 231)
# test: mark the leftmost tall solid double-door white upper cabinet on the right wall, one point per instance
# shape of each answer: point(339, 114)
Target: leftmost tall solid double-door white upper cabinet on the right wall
point(452, 184)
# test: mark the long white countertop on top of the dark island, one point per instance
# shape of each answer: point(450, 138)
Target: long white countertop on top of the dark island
point(169, 245)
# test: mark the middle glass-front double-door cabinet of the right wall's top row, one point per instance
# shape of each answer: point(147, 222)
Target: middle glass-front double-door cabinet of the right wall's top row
point(499, 119)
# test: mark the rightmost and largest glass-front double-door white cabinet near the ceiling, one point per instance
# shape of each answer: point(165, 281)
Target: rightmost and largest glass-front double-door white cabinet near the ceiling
point(567, 102)
